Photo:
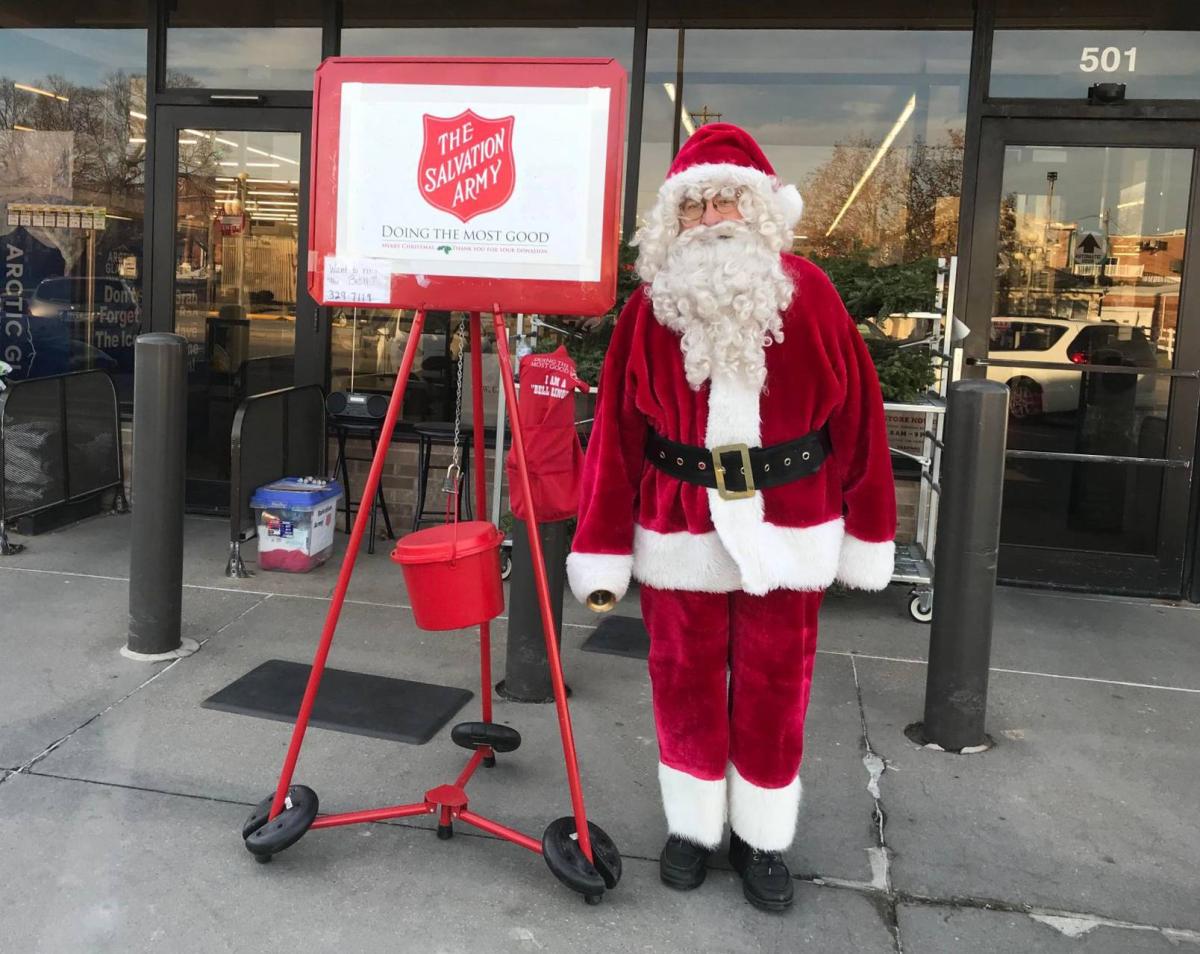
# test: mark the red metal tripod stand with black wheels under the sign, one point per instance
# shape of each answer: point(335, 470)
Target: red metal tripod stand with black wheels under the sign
point(577, 851)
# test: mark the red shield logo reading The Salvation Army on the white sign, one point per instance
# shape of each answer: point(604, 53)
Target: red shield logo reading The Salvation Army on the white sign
point(466, 166)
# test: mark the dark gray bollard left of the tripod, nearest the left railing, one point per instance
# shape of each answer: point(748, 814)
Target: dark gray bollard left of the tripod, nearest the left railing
point(160, 446)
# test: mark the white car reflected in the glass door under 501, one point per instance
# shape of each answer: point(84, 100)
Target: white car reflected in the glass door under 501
point(1065, 343)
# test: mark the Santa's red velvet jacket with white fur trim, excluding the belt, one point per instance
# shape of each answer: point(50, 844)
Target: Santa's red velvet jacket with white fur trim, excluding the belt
point(836, 525)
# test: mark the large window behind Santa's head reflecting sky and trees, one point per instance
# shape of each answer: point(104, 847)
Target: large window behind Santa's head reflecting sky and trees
point(869, 124)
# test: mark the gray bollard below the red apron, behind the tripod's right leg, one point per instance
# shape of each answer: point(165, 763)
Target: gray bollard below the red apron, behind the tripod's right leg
point(526, 668)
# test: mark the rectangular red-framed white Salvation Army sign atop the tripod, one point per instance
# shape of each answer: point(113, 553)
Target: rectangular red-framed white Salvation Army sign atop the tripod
point(467, 184)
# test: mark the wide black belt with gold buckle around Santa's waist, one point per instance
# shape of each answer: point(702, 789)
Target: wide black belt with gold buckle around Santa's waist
point(724, 469)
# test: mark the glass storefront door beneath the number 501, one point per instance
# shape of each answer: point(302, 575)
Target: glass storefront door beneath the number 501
point(1084, 283)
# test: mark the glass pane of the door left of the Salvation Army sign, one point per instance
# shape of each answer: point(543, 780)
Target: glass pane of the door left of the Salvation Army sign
point(237, 214)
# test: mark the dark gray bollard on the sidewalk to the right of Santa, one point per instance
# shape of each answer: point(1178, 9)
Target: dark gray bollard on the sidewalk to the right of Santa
point(965, 566)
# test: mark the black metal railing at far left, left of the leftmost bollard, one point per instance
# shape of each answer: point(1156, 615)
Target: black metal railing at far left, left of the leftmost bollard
point(61, 442)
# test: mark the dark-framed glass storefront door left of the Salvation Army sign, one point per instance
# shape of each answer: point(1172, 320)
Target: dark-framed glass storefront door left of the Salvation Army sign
point(229, 247)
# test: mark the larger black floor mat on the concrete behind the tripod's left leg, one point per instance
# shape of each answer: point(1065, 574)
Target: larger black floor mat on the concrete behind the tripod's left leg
point(355, 703)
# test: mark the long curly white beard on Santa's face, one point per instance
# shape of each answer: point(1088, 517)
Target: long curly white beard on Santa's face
point(723, 290)
